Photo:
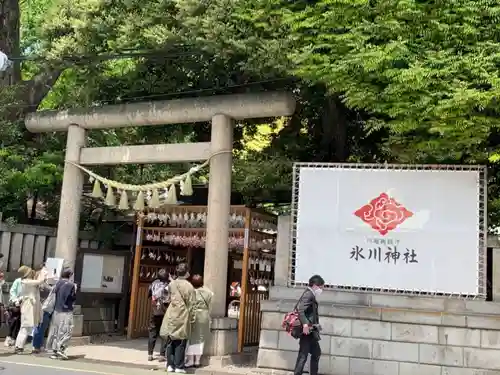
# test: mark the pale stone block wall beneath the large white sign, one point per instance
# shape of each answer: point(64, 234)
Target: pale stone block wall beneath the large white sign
point(377, 334)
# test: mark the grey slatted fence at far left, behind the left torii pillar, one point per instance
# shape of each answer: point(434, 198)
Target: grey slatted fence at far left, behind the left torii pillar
point(30, 245)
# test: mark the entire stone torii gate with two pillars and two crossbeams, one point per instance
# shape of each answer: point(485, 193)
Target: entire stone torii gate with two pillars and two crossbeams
point(220, 110)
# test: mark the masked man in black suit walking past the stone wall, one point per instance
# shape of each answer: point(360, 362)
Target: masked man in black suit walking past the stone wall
point(307, 309)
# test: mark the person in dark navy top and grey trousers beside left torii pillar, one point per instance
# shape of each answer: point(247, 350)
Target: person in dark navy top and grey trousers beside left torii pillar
point(61, 327)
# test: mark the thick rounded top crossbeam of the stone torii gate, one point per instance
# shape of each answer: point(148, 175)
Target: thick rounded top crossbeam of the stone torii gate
point(178, 111)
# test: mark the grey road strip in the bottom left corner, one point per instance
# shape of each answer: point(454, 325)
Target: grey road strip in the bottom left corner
point(31, 365)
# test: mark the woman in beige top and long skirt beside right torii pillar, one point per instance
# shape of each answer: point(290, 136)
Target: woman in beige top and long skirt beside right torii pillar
point(200, 329)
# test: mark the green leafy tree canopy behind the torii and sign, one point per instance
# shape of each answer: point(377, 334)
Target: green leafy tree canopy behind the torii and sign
point(409, 81)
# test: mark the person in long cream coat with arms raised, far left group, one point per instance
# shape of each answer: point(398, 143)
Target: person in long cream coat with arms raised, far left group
point(31, 308)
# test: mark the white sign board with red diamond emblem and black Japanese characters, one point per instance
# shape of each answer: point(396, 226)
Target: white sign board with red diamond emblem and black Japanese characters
point(406, 229)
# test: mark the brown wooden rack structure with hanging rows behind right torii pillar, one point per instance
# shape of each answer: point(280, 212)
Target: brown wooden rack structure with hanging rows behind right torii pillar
point(175, 234)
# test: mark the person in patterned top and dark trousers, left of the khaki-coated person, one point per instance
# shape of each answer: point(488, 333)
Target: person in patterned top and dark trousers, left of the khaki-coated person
point(159, 299)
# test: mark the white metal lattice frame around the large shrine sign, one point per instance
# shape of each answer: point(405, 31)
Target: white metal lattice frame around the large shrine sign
point(482, 223)
